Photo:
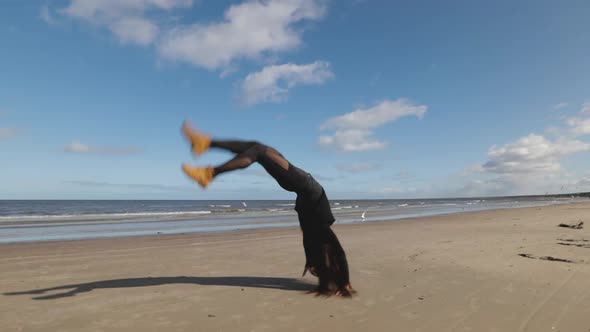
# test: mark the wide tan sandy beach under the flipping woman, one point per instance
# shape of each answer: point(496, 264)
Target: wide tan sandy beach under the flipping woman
point(483, 271)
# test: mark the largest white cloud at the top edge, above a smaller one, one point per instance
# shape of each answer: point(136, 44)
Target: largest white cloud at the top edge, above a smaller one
point(248, 30)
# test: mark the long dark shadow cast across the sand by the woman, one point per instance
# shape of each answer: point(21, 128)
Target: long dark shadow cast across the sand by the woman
point(251, 282)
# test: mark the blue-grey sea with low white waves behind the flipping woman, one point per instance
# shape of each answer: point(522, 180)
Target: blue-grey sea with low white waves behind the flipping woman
point(51, 220)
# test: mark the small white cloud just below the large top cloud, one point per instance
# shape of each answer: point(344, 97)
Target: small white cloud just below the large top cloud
point(272, 83)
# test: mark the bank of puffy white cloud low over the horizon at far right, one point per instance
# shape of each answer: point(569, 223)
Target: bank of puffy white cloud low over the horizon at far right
point(532, 164)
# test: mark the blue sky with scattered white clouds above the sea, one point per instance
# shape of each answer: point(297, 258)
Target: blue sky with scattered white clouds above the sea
point(377, 99)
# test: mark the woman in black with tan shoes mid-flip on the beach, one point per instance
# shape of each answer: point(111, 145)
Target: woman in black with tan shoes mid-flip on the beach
point(324, 255)
